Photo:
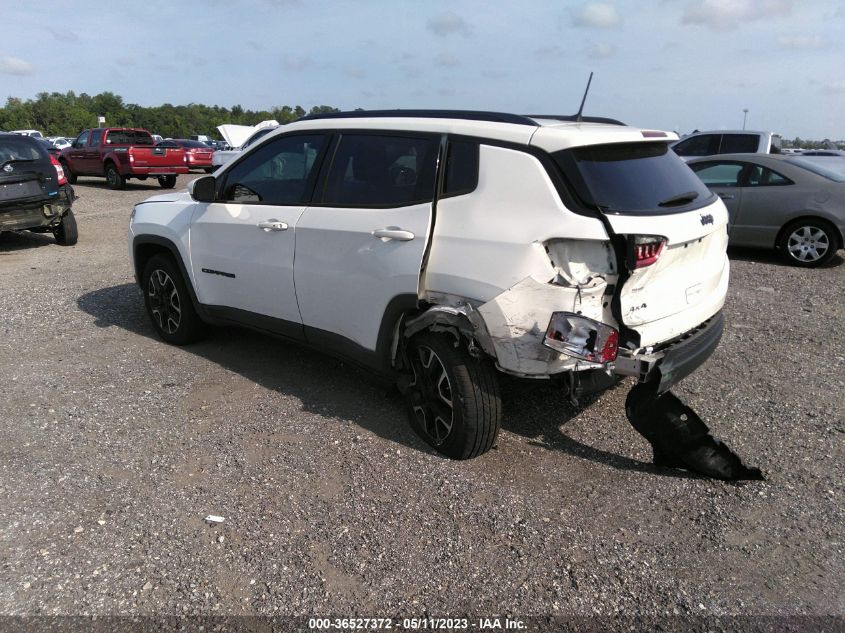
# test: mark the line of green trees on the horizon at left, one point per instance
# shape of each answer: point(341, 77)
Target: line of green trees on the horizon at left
point(58, 114)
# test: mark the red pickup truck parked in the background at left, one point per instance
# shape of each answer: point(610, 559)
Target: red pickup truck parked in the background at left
point(120, 154)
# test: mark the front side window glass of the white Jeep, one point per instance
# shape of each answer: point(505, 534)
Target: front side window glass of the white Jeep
point(281, 172)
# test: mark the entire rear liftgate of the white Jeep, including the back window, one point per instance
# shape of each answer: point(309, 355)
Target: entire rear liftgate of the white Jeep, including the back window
point(675, 228)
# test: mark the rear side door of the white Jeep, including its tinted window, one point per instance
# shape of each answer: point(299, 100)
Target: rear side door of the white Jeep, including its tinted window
point(362, 246)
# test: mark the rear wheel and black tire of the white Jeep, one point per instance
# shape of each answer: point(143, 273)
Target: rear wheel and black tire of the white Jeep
point(448, 382)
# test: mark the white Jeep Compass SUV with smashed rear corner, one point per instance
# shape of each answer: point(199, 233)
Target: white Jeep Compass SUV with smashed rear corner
point(438, 248)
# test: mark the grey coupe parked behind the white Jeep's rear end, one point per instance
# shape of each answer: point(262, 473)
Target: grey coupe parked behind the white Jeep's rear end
point(783, 202)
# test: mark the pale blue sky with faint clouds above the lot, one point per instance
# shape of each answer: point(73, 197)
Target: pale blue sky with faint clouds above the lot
point(670, 64)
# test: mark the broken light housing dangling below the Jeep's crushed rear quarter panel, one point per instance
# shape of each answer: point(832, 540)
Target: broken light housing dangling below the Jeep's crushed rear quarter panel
point(580, 337)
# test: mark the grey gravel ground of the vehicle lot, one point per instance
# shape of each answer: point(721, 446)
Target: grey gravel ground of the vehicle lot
point(116, 446)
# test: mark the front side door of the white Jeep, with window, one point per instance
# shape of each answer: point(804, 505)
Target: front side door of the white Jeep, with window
point(242, 245)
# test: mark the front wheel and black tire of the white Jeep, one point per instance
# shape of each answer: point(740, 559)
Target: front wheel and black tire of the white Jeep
point(168, 302)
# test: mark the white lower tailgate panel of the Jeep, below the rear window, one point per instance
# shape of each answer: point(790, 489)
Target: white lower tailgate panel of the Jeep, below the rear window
point(688, 282)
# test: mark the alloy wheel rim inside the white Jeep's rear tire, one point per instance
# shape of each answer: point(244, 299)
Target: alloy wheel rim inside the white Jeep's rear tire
point(431, 394)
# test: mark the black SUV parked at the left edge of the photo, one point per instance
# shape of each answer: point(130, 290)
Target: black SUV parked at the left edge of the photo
point(34, 193)
